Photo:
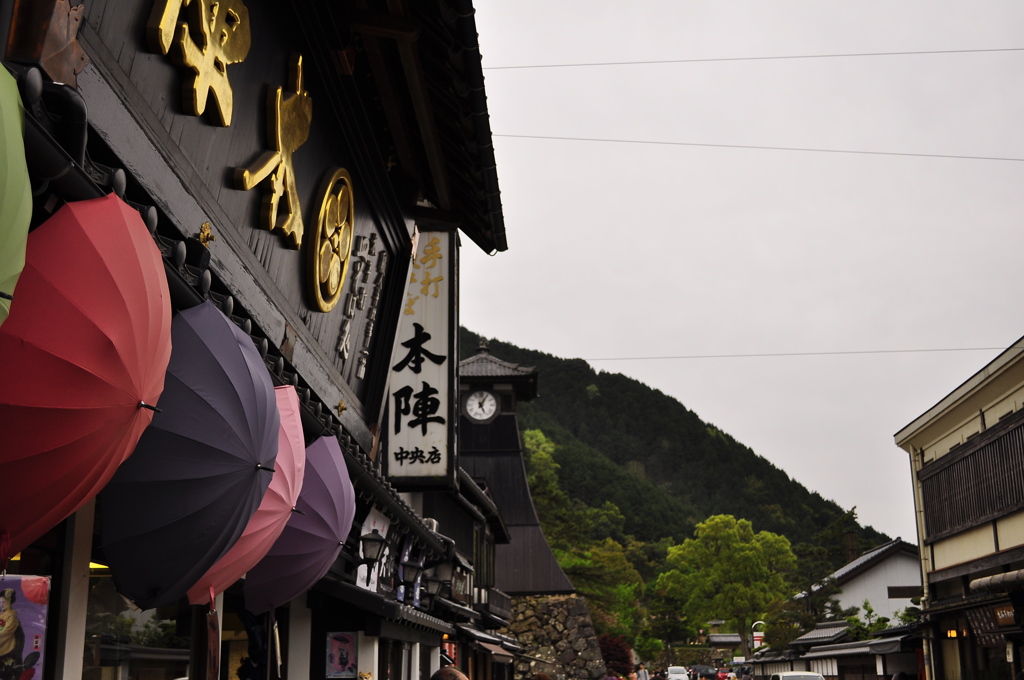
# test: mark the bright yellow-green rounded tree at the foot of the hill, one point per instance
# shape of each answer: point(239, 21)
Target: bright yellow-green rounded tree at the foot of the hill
point(730, 572)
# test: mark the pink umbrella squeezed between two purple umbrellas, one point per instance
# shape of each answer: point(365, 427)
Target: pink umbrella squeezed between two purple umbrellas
point(274, 513)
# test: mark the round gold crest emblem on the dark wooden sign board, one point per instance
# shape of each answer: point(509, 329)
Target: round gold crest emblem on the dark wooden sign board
point(329, 251)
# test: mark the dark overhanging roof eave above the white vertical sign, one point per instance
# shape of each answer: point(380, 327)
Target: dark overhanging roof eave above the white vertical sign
point(437, 116)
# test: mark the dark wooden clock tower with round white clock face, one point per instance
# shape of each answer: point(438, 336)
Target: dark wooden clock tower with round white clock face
point(491, 451)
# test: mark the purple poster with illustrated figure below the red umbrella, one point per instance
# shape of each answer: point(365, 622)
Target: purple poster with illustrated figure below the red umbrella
point(23, 625)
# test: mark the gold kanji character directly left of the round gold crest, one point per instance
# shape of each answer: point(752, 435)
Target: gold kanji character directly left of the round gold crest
point(289, 119)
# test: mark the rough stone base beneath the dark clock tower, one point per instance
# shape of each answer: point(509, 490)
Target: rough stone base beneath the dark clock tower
point(558, 639)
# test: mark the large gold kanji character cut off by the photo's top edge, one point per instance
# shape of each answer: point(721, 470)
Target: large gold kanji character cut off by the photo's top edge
point(222, 32)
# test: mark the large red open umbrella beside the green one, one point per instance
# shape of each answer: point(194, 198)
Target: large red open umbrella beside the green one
point(86, 348)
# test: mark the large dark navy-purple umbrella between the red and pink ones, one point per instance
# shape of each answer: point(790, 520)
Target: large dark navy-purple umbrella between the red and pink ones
point(201, 469)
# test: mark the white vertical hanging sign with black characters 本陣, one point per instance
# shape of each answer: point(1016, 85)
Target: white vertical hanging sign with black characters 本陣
point(423, 389)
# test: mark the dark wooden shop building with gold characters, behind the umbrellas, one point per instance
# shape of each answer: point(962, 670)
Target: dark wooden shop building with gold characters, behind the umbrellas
point(286, 158)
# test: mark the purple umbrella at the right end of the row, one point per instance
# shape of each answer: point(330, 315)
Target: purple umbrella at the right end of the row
point(314, 536)
